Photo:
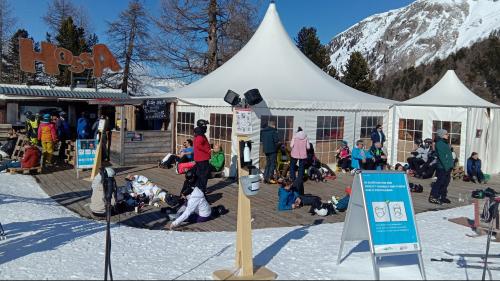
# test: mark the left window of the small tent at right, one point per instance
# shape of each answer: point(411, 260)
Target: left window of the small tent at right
point(409, 131)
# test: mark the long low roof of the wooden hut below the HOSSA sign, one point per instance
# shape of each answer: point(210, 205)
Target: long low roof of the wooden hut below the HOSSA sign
point(60, 92)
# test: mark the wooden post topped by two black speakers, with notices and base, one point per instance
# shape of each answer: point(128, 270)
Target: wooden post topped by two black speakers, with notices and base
point(244, 267)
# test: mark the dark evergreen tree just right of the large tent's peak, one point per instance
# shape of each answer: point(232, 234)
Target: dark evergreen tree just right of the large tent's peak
point(308, 42)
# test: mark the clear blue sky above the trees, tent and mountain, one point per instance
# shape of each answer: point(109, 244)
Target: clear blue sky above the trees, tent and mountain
point(329, 17)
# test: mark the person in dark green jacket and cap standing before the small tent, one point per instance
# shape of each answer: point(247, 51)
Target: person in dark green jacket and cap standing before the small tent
point(443, 170)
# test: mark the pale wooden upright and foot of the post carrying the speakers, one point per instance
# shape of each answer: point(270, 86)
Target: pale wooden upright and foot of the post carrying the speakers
point(245, 269)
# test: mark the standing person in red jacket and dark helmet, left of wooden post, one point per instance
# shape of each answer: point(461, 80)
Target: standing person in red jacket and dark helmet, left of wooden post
point(202, 155)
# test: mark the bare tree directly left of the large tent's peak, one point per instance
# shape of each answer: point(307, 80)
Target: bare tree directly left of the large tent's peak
point(197, 36)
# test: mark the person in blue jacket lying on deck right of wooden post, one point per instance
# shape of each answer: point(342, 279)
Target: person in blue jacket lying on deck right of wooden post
point(289, 199)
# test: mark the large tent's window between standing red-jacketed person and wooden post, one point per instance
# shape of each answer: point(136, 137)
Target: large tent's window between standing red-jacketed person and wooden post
point(221, 129)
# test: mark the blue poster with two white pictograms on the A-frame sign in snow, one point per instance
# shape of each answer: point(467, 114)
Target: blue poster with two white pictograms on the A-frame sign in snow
point(390, 213)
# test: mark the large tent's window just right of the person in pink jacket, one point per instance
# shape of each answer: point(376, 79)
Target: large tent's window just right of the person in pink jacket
point(329, 135)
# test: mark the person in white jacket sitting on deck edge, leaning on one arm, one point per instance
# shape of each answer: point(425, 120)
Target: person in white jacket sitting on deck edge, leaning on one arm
point(195, 210)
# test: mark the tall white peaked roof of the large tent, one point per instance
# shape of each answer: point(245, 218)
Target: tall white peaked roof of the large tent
point(285, 77)
